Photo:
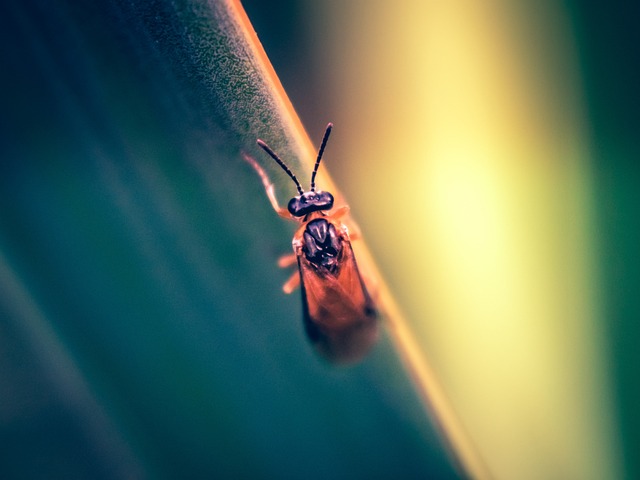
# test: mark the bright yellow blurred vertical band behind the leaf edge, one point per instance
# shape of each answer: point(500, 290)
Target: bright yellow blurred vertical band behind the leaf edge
point(467, 116)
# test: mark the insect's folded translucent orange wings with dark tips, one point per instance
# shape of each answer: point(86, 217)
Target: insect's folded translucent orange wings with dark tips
point(339, 315)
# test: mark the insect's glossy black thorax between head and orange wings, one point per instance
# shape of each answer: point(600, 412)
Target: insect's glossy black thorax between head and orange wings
point(322, 244)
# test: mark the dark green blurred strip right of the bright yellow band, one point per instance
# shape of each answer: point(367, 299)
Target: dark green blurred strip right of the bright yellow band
point(609, 46)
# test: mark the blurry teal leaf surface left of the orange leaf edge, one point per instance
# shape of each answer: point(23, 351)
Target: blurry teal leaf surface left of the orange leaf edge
point(143, 329)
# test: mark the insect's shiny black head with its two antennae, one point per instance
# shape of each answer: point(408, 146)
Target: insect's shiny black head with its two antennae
point(305, 202)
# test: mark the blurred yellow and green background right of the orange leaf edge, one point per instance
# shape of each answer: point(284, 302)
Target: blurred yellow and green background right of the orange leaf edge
point(490, 152)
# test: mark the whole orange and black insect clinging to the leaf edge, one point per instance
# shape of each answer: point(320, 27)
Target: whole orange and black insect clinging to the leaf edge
point(338, 313)
